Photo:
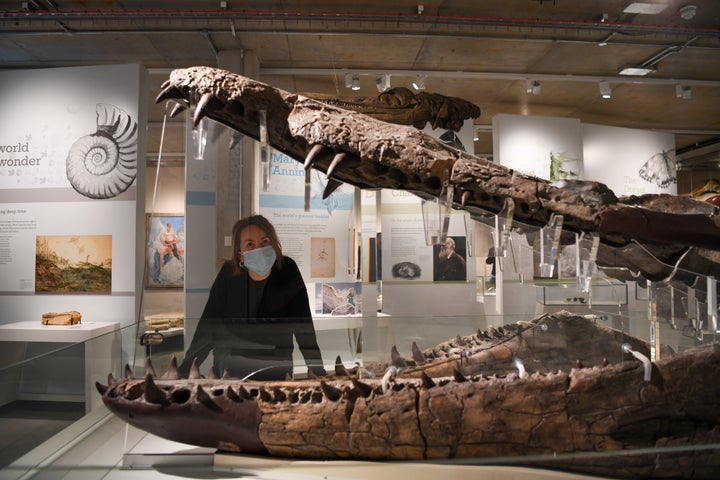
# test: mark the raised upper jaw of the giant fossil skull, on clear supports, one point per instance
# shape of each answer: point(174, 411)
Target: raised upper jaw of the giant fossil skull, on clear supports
point(657, 237)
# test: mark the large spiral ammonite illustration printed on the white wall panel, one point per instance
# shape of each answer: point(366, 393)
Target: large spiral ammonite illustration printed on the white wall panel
point(104, 164)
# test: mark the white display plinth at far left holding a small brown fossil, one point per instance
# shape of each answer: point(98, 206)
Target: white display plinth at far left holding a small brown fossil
point(58, 362)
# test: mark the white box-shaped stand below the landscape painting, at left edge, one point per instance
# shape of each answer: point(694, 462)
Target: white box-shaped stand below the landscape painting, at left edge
point(100, 346)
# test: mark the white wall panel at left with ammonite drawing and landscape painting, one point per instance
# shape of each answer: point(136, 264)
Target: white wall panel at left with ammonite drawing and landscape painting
point(71, 216)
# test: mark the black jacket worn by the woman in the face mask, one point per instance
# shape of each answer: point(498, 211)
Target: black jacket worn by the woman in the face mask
point(229, 329)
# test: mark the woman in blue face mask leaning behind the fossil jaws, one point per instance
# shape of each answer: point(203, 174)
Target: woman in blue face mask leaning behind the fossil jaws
point(256, 304)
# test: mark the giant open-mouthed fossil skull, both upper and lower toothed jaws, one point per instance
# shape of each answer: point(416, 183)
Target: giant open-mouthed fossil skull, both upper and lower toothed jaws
point(561, 388)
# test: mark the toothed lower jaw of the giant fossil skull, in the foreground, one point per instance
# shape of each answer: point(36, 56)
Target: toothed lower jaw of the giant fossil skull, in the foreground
point(569, 417)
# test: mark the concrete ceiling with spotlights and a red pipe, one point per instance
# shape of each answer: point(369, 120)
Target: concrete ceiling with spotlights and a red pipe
point(482, 51)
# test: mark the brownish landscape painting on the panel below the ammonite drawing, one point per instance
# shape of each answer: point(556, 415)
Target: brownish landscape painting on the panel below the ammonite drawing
point(73, 263)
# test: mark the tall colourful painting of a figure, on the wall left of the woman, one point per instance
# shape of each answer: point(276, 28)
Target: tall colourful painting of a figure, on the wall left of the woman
point(165, 250)
